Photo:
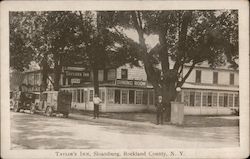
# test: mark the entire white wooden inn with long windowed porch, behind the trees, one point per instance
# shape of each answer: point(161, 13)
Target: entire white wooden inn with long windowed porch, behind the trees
point(125, 89)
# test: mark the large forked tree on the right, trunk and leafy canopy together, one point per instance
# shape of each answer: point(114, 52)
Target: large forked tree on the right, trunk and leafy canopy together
point(186, 37)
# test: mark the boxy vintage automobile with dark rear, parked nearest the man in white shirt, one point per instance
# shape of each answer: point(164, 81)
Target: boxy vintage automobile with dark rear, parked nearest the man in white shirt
point(54, 102)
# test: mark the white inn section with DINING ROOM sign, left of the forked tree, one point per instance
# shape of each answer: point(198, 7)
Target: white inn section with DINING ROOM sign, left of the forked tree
point(123, 89)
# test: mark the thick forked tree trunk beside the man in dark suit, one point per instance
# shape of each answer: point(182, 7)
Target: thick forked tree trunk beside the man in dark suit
point(163, 87)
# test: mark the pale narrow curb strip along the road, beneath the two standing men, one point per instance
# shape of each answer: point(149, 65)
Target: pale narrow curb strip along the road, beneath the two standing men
point(115, 121)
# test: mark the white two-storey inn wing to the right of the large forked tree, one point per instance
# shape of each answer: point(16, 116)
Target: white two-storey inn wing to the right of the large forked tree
point(211, 91)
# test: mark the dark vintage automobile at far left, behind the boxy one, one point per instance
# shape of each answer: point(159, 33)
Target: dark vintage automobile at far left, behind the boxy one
point(23, 100)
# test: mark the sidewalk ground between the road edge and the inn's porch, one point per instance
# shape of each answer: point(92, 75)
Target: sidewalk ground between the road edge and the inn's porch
point(149, 119)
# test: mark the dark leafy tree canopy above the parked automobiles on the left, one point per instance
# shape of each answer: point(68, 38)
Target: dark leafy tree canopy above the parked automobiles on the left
point(64, 38)
